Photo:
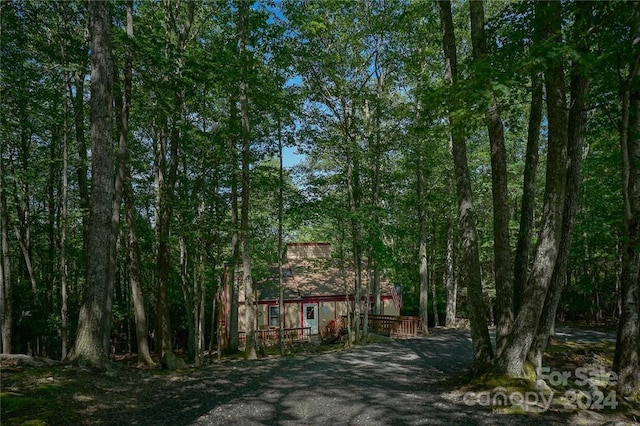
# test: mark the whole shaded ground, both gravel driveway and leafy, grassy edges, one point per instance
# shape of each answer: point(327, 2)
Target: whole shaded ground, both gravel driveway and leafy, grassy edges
point(417, 381)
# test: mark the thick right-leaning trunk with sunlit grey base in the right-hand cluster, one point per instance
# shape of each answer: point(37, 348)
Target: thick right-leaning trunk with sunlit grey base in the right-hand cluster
point(513, 357)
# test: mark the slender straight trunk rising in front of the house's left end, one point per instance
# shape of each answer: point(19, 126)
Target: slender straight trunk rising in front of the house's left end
point(249, 304)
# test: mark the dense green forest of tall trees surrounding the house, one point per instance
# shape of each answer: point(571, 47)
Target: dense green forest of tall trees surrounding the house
point(483, 155)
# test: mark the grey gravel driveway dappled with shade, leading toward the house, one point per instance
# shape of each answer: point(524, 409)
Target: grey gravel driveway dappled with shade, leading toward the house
point(391, 383)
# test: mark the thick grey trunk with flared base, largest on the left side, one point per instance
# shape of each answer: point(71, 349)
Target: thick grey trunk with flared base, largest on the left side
point(89, 348)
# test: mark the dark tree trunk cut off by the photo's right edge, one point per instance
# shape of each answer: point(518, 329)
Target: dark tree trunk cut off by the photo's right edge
point(626, 361)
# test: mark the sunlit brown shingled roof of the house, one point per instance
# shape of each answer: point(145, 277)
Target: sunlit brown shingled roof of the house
point(315, 277)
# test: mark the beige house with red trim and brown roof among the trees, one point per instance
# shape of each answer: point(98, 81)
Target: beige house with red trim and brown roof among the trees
point(315, 291)
